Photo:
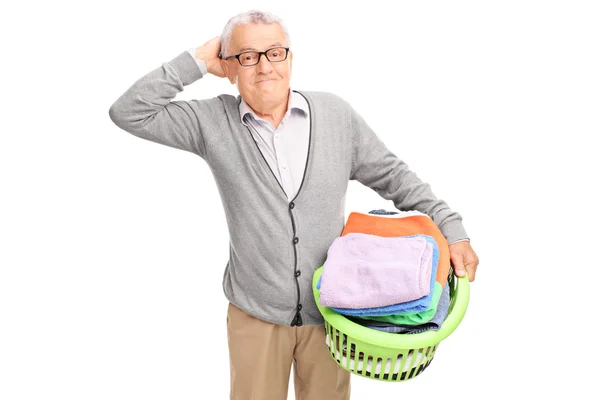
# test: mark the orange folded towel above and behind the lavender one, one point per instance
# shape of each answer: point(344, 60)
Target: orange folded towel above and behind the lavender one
point(412, 225)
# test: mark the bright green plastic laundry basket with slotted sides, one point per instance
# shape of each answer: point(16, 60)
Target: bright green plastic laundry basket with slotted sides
point(387, 356)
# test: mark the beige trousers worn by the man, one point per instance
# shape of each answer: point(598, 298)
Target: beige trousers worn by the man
point(261, 355)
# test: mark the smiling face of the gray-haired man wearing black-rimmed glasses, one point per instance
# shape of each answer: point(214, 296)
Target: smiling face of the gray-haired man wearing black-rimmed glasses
point(265, 84)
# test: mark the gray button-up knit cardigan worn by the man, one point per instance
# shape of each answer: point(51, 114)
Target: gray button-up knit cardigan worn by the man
point(275, 244)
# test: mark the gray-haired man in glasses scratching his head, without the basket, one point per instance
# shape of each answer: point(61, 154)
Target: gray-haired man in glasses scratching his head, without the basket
point(282, 160)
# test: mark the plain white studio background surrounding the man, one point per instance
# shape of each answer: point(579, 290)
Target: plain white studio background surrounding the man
point(112, 248)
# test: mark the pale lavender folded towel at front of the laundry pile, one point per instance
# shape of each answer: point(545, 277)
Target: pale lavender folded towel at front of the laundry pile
point(366, 271)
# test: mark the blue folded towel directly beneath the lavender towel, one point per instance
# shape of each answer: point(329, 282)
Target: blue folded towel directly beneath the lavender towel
point(417, 305)
